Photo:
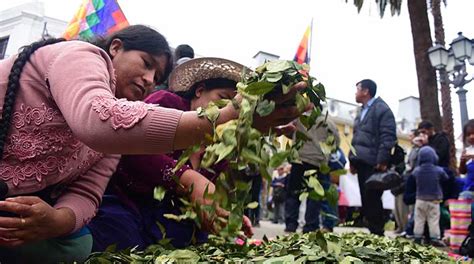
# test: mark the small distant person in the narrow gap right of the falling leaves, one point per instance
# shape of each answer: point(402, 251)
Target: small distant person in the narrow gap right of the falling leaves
point(279, 195)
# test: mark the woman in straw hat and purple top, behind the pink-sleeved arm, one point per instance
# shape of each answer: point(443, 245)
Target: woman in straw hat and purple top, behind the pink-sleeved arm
point(129, 212)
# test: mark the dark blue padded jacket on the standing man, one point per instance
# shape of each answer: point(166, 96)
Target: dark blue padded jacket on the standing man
point(375, 135)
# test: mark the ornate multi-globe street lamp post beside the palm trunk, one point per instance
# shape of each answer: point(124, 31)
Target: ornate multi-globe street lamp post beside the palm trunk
point(453, 61)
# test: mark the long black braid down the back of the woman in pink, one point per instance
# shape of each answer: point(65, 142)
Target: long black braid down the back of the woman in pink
point(14, 84)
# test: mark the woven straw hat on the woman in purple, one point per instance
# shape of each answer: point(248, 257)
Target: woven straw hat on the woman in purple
point(185, 75)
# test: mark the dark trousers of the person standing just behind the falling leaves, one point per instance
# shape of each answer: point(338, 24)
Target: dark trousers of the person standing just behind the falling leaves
point(295, 185)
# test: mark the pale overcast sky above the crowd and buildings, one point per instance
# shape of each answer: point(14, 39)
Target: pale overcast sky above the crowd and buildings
point(346, 46)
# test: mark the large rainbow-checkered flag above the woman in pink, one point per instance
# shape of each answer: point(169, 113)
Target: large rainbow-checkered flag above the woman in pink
point(96, 18)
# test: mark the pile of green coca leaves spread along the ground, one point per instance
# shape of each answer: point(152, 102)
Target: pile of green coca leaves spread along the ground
point(295, 248)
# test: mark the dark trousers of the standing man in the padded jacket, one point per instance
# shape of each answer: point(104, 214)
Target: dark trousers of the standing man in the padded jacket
point(372, 208)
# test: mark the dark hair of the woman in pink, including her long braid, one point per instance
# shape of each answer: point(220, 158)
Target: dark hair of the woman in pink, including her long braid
point(137, 37)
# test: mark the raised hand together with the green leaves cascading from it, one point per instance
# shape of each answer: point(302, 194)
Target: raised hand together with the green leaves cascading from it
point(275, 94)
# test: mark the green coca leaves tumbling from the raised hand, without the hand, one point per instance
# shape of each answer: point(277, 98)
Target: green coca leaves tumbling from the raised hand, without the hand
point(247, 151)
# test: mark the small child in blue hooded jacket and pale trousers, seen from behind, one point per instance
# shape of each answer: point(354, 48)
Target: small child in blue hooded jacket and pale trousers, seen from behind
point(429, 195)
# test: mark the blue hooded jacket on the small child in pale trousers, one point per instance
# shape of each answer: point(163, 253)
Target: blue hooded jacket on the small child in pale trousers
point(429, 176)
